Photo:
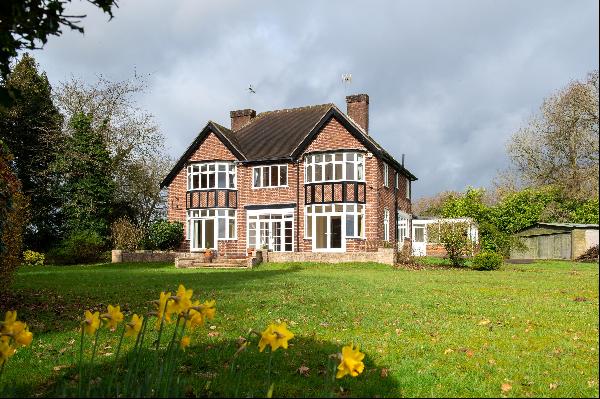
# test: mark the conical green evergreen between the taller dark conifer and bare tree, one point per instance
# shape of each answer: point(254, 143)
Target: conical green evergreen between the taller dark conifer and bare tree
point(87, 188)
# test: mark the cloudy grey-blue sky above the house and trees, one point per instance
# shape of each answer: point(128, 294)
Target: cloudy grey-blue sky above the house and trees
point(449, 81)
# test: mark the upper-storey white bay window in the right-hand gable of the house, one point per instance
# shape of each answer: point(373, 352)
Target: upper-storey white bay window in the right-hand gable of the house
point(334, 167)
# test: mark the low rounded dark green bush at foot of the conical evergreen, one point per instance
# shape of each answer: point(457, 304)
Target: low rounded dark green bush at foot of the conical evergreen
point(80, 247)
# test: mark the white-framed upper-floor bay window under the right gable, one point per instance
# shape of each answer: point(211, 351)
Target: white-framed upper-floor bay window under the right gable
point(355, 159)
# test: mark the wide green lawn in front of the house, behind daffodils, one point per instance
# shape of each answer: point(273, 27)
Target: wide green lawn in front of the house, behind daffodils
point(423, 327)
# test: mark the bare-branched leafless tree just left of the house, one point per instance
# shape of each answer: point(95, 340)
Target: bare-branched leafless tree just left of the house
point(133, 139)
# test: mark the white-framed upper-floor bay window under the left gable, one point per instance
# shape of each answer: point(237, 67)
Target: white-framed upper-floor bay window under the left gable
point(211, 175)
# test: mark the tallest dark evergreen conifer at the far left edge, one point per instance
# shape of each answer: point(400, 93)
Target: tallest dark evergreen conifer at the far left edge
point(31, 127)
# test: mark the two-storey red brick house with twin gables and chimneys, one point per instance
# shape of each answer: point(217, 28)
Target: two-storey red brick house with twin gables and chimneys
point(307, 179)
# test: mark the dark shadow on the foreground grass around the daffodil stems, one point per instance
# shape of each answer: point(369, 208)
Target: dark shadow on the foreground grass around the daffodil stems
point(213, 370)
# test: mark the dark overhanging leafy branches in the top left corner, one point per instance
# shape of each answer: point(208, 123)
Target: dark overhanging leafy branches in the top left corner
point(25, 24)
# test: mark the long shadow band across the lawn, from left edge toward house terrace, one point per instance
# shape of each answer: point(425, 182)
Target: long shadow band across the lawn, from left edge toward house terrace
point(59, 305)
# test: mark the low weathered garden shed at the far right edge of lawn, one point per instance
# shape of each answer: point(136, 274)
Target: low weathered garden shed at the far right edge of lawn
point(555, 241)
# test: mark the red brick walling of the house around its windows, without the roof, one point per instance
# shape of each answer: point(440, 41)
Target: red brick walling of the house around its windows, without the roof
point(333, 136)
